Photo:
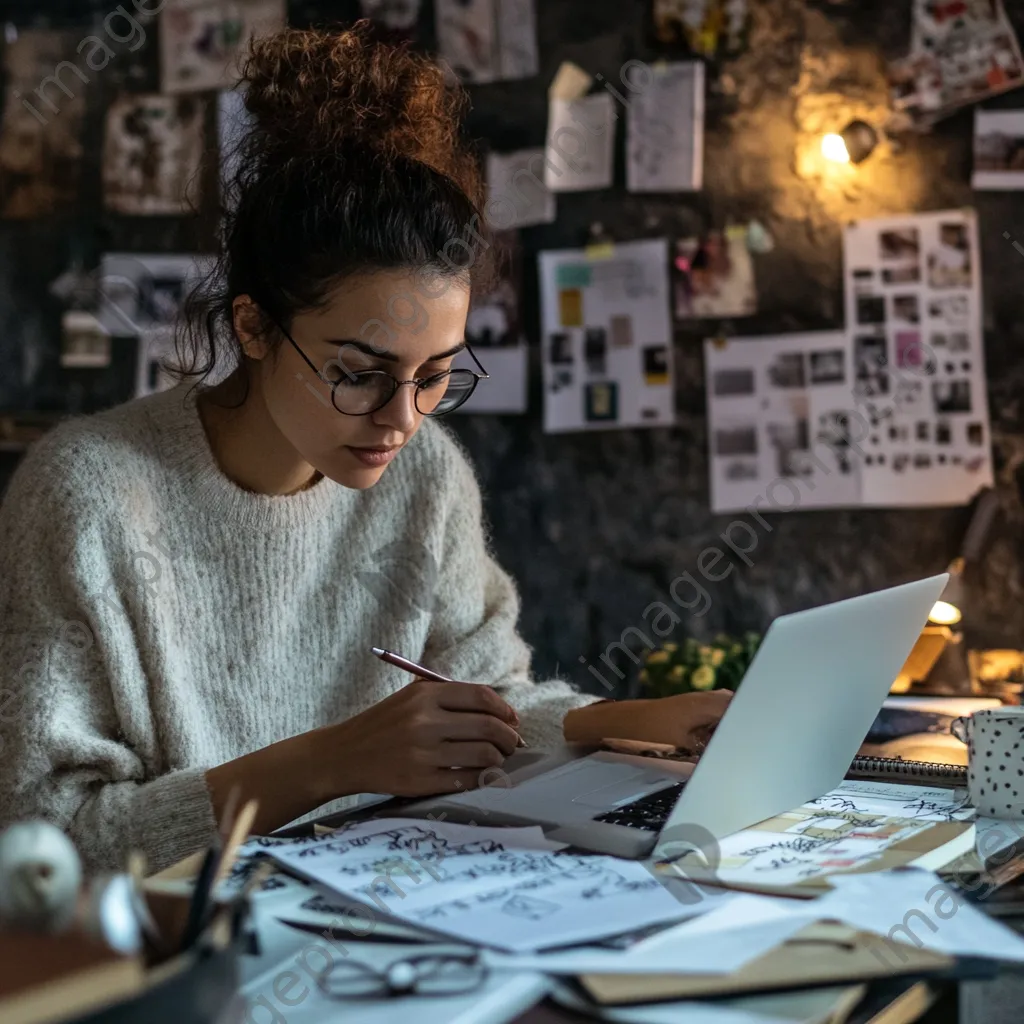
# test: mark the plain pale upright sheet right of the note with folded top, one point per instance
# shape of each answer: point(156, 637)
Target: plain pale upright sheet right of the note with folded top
point(665, 136)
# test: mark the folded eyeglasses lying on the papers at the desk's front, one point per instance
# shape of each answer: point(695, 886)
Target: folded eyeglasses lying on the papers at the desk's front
point(434, 974)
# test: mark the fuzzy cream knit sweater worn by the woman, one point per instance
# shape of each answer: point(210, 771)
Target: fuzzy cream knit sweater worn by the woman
point(157, 621)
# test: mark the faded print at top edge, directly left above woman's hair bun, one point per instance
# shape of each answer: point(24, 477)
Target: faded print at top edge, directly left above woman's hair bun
point(201, 41)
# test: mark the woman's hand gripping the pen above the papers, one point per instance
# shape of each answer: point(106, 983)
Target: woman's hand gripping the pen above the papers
point(426, 739)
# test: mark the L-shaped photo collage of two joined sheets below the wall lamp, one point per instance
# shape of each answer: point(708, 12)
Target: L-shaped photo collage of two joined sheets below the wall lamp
point(891, 412)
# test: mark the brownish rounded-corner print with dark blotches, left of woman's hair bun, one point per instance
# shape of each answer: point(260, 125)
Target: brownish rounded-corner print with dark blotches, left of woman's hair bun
point(153, 148)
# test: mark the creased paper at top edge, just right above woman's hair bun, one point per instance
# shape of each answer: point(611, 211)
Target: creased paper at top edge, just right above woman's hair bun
point(488, 40)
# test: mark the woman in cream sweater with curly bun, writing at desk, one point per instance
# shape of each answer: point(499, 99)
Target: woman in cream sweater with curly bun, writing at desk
point(192, 582)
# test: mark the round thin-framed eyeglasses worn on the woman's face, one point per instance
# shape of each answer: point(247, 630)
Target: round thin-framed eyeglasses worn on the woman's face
point(361, 393)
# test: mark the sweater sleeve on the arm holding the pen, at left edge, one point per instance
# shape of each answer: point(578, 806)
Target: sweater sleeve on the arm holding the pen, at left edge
point(74, 701)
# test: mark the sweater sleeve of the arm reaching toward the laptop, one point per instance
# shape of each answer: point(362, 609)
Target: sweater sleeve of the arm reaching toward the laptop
point(474, 633)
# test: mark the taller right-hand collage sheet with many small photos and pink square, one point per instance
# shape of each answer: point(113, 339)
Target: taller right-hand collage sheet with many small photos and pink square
point(914, 311)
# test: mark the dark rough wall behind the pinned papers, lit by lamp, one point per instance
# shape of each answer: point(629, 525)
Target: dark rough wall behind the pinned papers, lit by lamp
point(594, 527)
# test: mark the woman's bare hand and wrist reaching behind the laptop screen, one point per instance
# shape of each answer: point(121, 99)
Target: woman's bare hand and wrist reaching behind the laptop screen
point(686, 721)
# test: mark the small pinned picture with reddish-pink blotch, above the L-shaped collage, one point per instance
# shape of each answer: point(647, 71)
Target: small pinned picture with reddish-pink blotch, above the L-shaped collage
point(715, 276)
